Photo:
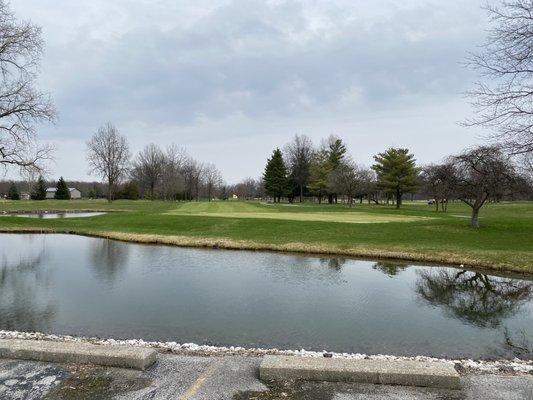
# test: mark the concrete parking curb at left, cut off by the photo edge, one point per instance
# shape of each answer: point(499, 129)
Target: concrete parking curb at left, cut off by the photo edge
point(82, 353)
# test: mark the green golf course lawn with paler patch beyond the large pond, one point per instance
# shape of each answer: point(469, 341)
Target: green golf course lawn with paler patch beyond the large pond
point(416, 232)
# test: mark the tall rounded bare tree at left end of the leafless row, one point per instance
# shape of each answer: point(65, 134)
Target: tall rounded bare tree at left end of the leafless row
point(108, 156)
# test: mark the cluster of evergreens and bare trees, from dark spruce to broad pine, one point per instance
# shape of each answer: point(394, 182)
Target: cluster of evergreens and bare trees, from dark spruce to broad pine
point(327, 172)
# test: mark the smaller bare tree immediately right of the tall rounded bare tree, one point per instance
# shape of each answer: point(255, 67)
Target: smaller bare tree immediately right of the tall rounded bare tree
point(148, 167)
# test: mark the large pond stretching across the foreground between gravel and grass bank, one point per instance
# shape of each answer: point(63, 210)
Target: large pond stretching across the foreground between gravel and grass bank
point(68, 284)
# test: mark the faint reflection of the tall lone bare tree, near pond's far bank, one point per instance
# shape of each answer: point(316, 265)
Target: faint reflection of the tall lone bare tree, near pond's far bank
point(108, 259)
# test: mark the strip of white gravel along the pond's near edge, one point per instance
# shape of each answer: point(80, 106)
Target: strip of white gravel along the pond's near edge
point(516, 365)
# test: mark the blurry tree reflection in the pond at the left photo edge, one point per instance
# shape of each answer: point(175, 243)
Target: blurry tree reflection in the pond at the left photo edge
point(20, 284)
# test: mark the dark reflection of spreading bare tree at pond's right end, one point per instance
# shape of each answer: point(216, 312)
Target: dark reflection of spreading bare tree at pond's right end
point(473, 297)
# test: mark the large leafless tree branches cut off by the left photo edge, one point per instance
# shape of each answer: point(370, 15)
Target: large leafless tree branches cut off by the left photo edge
point(22, 105)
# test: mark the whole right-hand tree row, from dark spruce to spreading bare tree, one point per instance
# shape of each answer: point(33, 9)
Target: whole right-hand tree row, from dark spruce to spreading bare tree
point(474, 176)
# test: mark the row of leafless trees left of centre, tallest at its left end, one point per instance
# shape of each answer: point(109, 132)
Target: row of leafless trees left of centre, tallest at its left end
point(153, 173)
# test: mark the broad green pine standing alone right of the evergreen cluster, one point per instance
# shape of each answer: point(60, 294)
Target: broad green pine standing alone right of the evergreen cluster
point(396, 172)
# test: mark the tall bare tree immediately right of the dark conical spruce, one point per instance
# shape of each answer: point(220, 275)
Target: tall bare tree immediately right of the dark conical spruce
point(299, 154)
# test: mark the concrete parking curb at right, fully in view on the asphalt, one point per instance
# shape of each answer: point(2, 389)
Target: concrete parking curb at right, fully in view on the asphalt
point(407, 373)
